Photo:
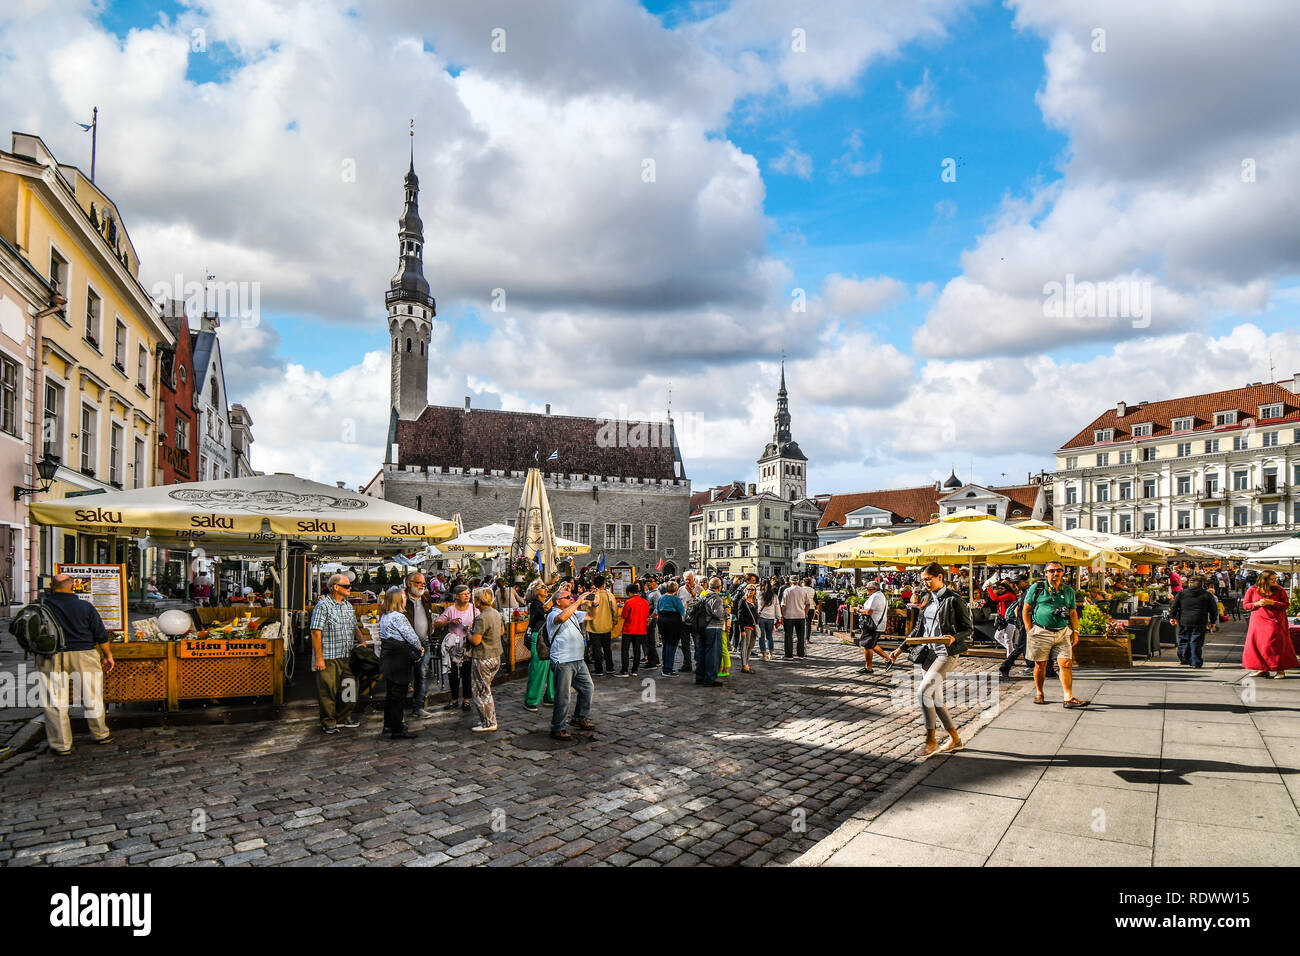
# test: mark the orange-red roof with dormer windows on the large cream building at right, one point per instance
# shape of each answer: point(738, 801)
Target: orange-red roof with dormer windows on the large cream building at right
point(1246, 403)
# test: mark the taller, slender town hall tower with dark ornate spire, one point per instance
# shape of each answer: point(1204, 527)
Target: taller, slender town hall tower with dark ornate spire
point(411, 306)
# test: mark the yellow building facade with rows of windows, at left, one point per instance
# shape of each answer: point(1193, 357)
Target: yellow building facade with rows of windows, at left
point(97, 379)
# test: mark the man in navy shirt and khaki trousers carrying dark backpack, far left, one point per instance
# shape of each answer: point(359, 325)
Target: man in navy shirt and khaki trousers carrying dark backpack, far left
point(75, 663)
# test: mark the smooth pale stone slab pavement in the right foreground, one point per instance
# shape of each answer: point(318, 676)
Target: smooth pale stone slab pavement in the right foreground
point(1171, 767)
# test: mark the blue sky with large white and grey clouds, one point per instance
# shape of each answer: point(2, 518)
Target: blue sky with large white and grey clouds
point(674, 196)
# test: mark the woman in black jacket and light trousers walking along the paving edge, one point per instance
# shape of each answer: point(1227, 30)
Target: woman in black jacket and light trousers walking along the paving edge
point(946, 626)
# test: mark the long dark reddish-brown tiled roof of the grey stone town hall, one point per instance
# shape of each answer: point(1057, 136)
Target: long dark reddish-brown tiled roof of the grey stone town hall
point(508, 442)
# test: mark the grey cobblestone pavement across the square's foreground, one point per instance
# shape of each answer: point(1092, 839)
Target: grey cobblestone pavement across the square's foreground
point(751, 773)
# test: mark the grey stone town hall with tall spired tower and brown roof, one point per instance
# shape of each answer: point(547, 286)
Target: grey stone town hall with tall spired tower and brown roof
point(619, 487)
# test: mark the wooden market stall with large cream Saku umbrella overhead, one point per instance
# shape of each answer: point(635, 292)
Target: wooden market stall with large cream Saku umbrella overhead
point(255, 517)
